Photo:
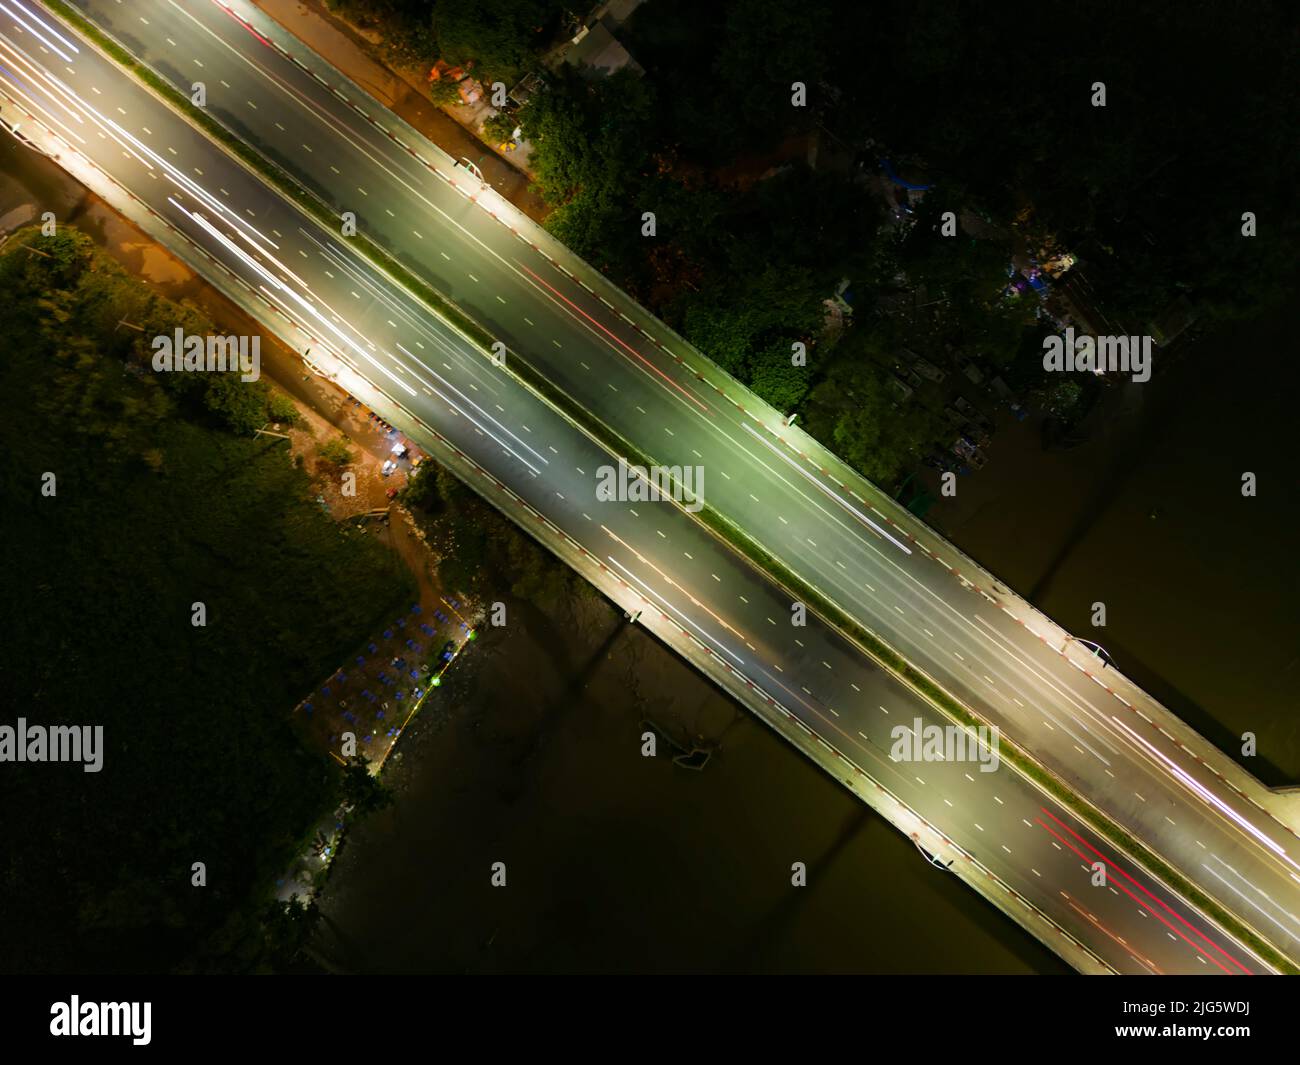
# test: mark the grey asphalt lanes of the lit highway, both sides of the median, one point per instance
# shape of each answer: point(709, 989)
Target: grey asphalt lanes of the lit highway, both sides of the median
point(1032, 846)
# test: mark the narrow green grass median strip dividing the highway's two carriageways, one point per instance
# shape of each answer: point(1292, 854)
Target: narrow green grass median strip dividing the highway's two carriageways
point(722, 527)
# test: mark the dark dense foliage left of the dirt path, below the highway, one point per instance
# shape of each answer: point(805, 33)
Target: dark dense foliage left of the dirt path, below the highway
point(158, 506)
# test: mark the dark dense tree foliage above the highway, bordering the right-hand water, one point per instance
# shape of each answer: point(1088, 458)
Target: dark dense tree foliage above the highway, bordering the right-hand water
point(995, 106)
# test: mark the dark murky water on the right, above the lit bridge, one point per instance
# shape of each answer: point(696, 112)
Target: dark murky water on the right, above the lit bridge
point(1201, 585)
